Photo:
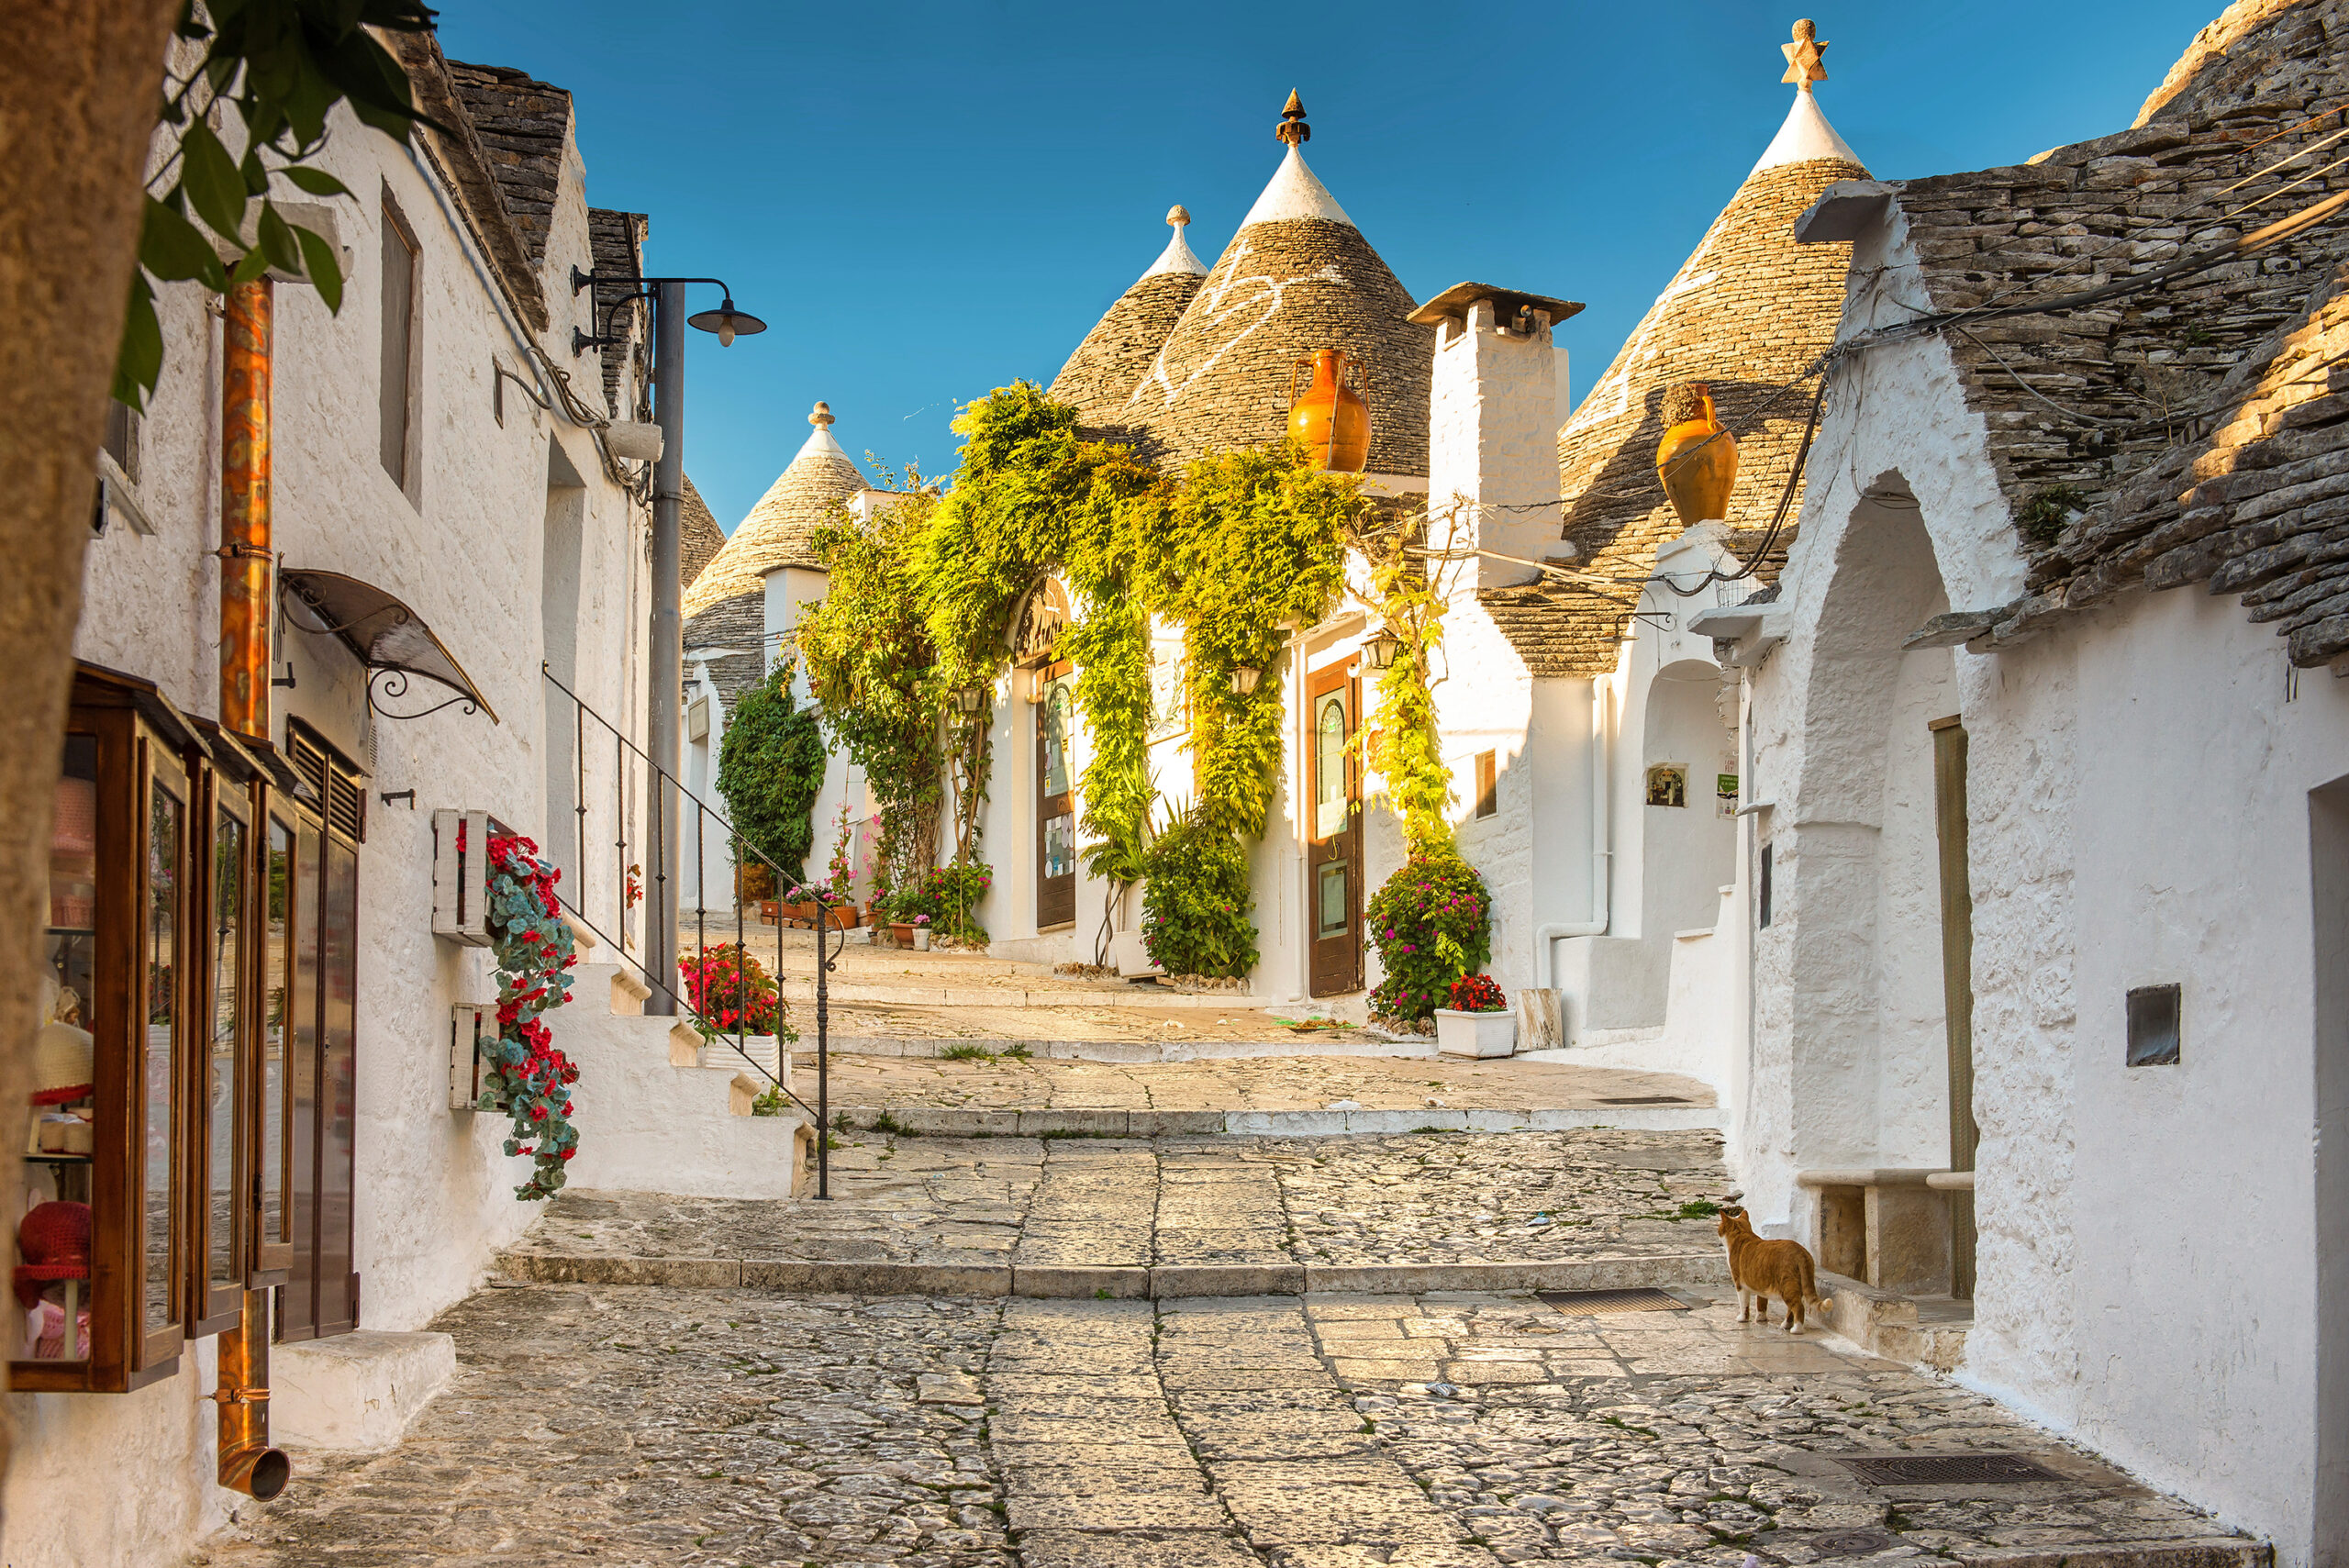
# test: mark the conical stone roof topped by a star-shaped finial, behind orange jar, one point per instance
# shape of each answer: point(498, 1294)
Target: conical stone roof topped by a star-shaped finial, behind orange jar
point(1746, 313)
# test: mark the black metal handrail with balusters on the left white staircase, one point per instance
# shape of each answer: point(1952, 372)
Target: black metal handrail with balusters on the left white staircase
point(661, 780)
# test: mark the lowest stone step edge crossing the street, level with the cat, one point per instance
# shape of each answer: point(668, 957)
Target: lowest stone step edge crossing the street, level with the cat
point(1159, 1283)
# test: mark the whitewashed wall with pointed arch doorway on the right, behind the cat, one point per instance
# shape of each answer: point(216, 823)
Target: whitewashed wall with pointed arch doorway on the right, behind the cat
point(2139, 813)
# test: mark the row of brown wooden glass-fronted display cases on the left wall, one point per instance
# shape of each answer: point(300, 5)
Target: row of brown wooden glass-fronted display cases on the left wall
point(198, 968)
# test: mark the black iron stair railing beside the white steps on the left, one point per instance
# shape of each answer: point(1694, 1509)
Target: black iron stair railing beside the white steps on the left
point(668, 799)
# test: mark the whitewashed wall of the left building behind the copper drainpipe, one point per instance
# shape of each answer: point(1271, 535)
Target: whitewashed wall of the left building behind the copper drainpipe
point(107, 1480)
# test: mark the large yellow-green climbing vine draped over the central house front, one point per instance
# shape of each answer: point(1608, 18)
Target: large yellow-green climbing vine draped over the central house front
point(1237, 553)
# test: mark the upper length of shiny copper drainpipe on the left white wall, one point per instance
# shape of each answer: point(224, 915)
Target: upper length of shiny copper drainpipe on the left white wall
point(245, 511)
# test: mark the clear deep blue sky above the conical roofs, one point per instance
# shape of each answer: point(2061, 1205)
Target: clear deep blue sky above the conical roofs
point(931, 201)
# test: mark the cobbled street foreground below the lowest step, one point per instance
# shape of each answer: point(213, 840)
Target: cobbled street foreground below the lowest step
point(638, 1426)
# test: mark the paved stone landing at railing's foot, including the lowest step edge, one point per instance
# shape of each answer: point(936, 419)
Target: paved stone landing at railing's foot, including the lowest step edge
point(1516, 1212)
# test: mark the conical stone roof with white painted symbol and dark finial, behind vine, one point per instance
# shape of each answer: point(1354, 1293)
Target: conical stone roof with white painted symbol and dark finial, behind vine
point(1298, 278)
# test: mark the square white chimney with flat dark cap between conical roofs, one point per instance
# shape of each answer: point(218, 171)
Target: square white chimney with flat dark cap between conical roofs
point(1493, 428)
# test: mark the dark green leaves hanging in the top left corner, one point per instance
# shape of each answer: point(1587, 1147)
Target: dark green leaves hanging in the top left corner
point(283, 67)
